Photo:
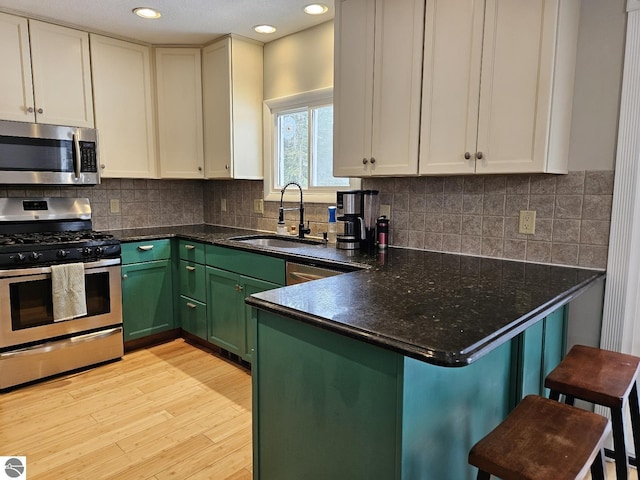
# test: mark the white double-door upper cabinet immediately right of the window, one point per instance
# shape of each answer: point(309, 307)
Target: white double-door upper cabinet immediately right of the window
point(377, 84)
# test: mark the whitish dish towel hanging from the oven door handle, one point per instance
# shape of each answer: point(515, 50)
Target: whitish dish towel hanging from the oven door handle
point(67, 284)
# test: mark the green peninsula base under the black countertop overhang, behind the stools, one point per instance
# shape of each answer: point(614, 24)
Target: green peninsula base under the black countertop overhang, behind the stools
point(328, 406)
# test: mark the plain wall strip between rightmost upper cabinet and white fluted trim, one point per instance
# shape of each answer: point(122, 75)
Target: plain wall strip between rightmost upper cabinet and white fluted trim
point(598, 83)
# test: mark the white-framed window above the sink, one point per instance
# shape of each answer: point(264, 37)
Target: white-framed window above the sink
point(299, 138)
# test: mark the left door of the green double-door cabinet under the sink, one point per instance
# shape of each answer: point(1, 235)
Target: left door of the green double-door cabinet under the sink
point(225, 328)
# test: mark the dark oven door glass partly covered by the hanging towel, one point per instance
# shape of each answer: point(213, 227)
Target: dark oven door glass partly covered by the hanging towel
point(32, 305)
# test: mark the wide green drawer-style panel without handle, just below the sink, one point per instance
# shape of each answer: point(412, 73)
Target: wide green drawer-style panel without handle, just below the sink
point(250, 264)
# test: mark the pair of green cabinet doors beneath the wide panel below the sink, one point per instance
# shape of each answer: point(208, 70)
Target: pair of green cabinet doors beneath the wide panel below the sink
point(228, 316)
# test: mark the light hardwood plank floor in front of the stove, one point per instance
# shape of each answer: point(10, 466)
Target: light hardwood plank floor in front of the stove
point(172, 411)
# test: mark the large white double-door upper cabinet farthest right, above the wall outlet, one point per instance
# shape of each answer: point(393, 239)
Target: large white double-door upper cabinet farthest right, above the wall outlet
point(498, 86)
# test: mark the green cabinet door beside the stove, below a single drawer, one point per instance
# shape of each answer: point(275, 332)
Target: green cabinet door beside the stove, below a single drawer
point(147, 299)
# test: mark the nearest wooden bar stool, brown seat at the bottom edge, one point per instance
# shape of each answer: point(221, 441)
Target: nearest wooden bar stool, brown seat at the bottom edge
point(543, 440)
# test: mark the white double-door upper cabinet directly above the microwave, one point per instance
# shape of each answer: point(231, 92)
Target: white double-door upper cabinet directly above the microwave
point(46, 73)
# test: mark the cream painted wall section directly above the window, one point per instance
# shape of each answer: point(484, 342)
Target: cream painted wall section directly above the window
point(299, 62)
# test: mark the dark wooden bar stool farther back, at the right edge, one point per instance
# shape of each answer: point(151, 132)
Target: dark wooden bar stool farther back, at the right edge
point(605, 378)
